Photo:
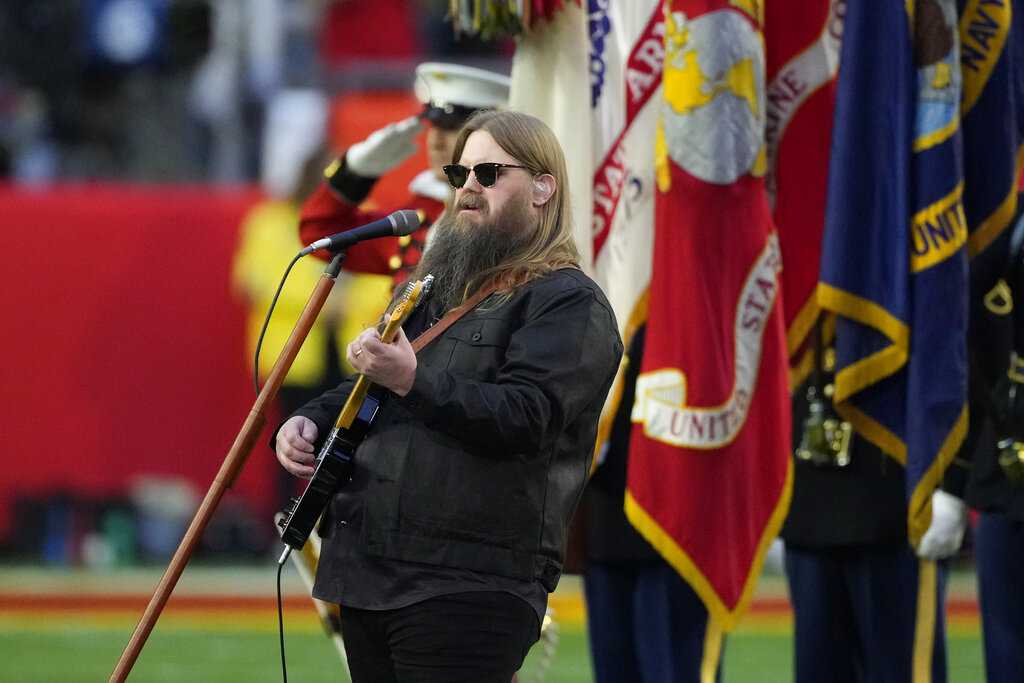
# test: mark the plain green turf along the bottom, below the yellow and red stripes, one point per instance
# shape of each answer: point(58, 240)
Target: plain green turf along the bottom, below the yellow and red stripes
point(194, 656)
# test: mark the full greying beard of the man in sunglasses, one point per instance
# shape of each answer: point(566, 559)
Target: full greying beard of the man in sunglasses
point(461, 250)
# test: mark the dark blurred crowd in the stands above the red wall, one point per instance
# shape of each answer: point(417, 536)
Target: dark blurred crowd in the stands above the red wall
point(180, 91)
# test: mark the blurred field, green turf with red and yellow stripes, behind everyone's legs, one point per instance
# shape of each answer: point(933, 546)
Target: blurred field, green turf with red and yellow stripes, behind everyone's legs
point(50, 632)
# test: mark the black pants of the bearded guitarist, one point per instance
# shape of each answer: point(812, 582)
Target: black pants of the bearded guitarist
point(474, 637)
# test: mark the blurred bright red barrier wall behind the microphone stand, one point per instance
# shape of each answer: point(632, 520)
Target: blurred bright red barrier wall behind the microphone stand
point(122, 345)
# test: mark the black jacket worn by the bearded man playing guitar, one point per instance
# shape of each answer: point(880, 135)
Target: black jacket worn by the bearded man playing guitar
point(481, 466)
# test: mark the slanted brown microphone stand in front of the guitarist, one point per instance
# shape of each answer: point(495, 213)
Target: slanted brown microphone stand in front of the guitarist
point(229, 471)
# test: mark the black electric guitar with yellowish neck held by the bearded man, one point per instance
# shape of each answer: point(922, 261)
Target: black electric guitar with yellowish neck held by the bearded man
point(334, 463)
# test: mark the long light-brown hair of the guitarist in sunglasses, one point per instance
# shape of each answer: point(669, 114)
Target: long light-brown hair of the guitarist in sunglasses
point(534, 145)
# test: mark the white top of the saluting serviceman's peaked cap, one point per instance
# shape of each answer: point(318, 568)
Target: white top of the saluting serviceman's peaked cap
point(441, 84)
